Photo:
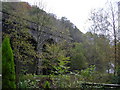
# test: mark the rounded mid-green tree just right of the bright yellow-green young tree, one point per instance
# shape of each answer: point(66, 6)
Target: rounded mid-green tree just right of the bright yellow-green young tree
point(78, 59)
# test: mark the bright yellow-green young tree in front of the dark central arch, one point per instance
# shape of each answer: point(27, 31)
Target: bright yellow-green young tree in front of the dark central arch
point(55, 59)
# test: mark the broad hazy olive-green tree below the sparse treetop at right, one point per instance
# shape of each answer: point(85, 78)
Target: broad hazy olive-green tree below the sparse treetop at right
point(97, 51)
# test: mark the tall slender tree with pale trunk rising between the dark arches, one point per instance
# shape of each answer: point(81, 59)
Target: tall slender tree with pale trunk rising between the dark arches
point(43, 20)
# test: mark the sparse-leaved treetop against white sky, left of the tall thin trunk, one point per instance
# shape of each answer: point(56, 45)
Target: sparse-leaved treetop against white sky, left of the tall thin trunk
point(99, 21)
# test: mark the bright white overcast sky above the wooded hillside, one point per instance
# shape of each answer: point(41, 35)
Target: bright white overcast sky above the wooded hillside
point(77, 11)
